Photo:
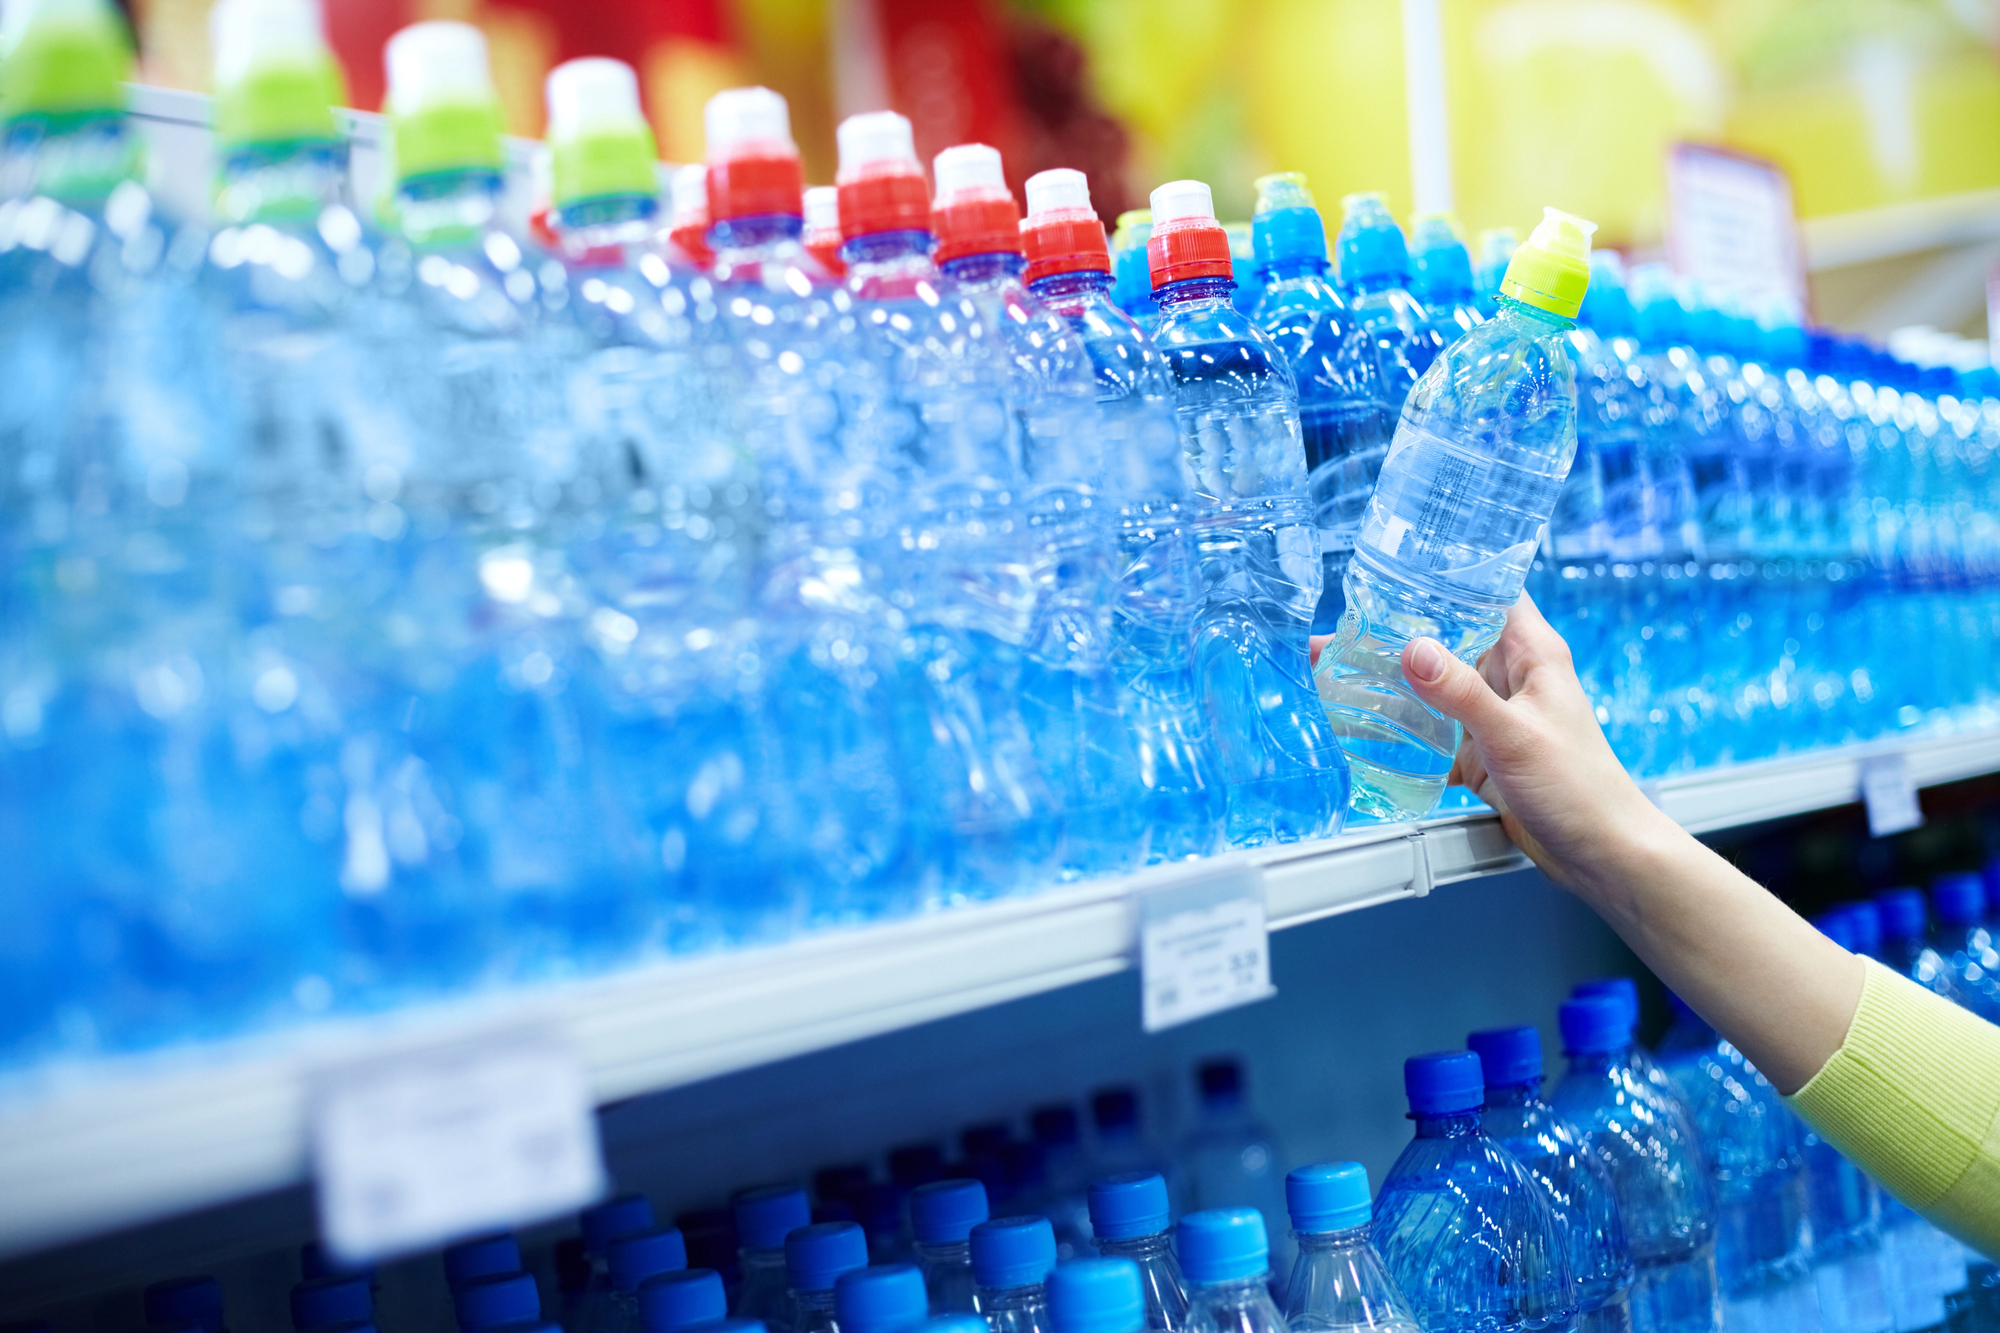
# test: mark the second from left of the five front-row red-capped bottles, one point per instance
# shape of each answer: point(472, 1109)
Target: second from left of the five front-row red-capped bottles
point(931, 389)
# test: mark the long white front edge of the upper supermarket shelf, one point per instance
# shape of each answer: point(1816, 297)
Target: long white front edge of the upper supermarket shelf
point(129, 1142)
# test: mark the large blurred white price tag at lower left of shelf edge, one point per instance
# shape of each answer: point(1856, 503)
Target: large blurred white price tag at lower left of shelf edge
point(419, 1150)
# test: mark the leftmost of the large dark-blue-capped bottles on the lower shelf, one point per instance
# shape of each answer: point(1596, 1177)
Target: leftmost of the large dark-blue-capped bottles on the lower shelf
point(1465, 1232)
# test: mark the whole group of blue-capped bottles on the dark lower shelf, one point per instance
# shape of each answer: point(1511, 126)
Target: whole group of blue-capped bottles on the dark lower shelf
point(1643, 1192)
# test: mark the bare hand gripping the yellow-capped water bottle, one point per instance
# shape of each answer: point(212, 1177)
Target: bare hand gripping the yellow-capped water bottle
point(1533, 750)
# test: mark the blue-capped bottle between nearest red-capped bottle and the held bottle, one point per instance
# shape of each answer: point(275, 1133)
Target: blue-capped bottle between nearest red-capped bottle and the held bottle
point(1345, 407)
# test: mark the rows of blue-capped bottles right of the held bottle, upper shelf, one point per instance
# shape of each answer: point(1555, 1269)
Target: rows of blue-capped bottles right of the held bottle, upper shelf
point(1771, 541)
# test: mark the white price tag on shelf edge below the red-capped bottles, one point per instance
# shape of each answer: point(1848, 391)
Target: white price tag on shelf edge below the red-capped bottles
point(1203, 948)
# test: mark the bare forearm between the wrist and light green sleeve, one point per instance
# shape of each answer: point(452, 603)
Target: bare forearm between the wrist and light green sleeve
point(1763, 978)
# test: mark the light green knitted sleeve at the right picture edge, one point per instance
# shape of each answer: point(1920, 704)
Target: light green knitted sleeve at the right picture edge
point(1913, 1098)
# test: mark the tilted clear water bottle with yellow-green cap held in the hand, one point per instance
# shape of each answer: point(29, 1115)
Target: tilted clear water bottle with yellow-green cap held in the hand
point(1455, 519)
